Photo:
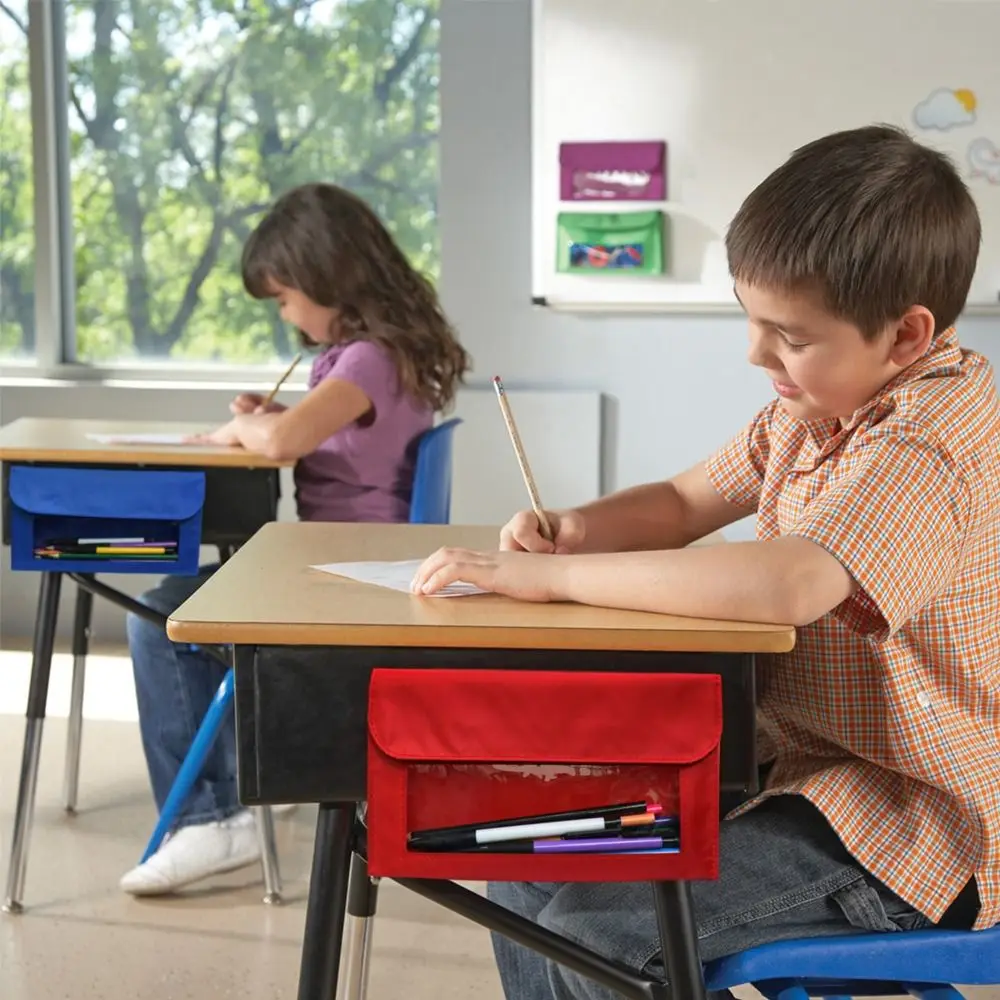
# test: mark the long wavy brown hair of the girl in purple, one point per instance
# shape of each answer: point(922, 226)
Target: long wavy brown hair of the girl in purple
point(328, 244)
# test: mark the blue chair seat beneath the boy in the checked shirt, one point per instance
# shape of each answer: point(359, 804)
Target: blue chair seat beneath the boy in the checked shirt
point(921, 963)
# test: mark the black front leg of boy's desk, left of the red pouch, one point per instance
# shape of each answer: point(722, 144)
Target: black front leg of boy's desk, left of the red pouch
point(327, 902)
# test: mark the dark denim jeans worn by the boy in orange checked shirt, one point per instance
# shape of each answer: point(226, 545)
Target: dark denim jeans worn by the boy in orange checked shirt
point(783, 874)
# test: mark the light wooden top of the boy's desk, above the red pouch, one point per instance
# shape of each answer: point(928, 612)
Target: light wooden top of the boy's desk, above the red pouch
point(268, 595)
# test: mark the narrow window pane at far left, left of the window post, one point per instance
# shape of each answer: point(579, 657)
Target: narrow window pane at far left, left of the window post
point(17, 231)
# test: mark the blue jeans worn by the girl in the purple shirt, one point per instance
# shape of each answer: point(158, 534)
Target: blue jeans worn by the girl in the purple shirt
point(174, 686)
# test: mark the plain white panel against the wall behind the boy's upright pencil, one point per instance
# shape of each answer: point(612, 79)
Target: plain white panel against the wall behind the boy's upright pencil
point(561, 434)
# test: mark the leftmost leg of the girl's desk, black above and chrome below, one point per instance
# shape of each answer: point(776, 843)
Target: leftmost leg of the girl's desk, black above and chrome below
point(38, 693)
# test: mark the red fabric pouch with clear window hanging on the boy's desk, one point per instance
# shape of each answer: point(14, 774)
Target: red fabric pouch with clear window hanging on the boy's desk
point(456, 747)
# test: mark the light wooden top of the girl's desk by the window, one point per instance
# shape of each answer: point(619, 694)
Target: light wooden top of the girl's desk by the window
point(35, 439)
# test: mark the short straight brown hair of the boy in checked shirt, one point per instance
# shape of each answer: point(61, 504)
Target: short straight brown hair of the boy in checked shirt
point(869, 220)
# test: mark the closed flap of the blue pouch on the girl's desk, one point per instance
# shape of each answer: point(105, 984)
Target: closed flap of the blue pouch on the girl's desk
point(108, 493)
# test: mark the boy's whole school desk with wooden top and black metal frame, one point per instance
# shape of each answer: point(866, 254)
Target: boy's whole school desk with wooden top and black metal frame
point(307, 642)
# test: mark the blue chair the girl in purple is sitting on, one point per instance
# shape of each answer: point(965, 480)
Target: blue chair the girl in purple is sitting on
point(430, 503)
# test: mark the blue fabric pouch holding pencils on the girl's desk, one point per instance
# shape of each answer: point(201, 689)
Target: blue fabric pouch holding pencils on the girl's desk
point(58, 504)
